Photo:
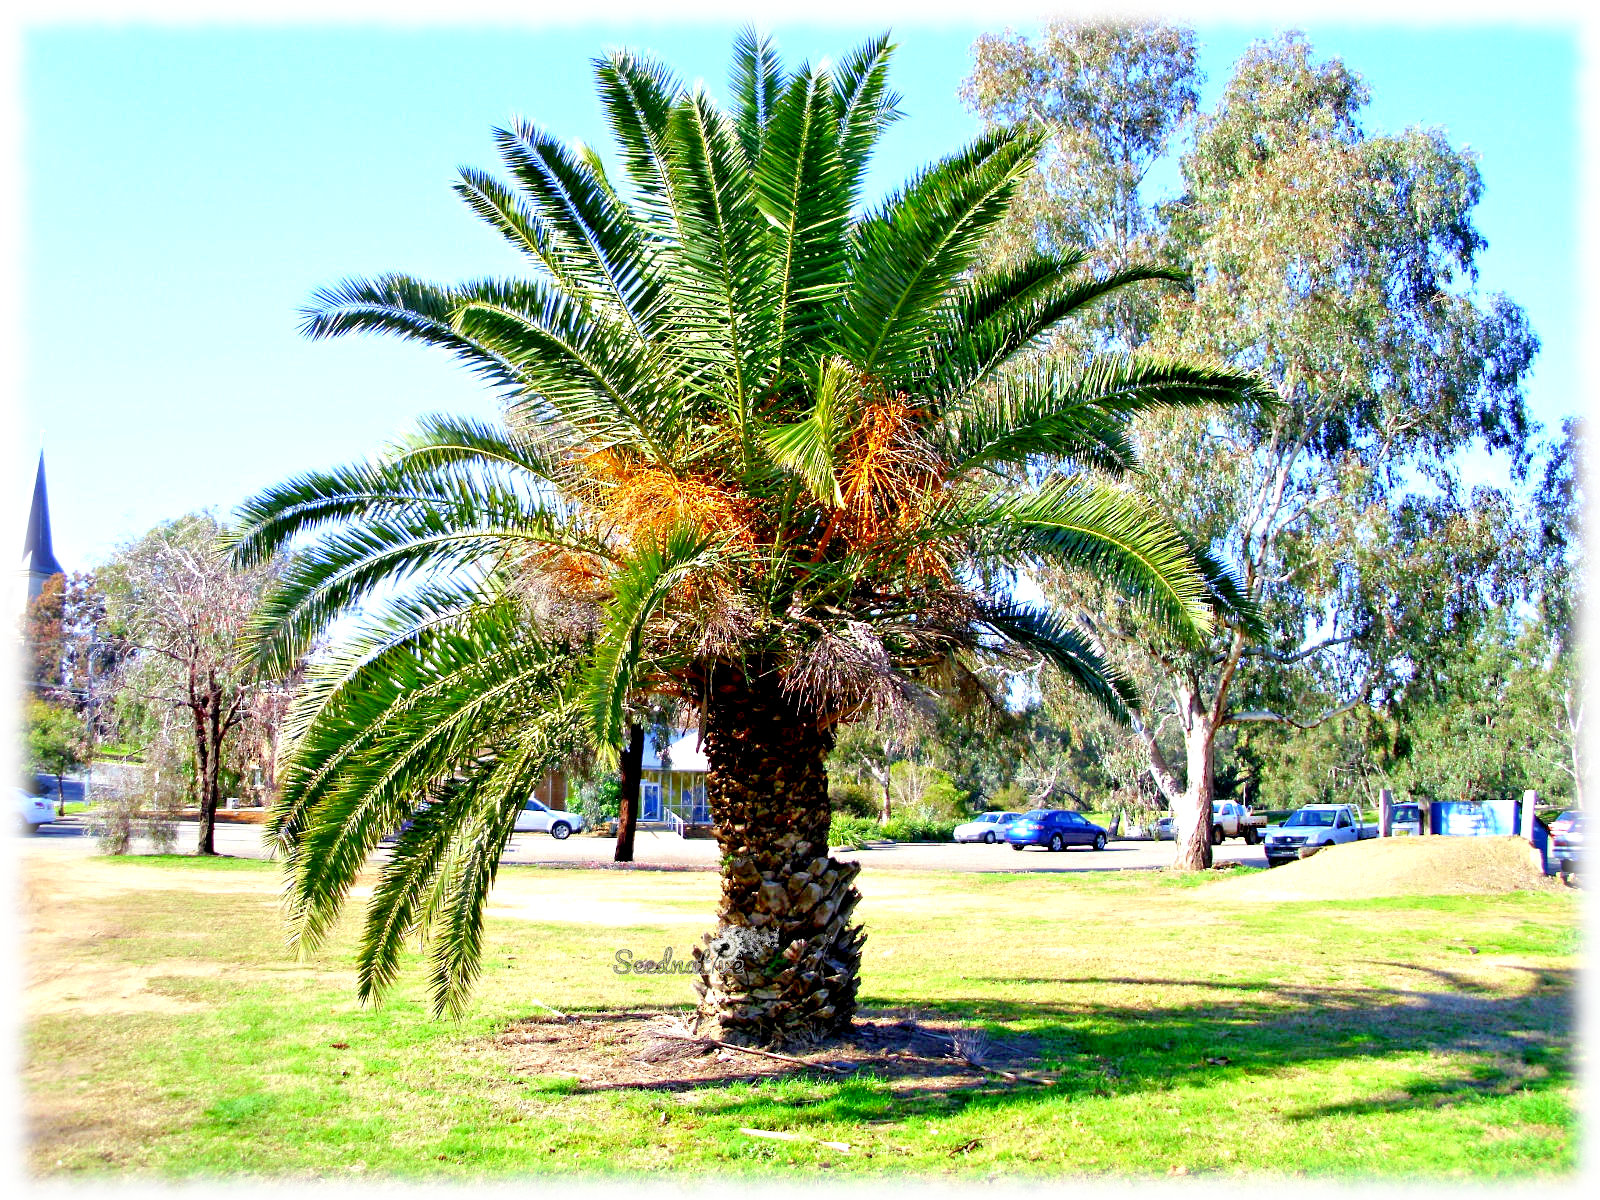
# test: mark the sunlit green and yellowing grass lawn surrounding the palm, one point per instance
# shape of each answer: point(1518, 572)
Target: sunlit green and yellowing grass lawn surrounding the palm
point(169, 1034)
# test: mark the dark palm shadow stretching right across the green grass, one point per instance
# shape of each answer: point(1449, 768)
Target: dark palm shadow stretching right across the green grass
point(1481, 1044)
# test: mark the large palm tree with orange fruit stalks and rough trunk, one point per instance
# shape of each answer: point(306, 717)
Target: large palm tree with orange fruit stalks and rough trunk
point(764, 455)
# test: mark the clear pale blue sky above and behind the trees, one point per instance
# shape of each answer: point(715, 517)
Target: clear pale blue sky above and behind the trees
point(185, 190)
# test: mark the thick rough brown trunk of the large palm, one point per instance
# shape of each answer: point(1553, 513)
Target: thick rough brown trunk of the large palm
point(782, 969)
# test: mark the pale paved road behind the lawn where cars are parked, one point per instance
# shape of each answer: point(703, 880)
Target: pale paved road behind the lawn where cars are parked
point(668, 850)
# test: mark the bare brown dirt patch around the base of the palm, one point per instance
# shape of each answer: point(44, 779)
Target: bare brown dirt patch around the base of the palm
point(612, 1052)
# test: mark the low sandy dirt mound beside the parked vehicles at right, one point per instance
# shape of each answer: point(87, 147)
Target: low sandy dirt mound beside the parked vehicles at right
point(1401, 866)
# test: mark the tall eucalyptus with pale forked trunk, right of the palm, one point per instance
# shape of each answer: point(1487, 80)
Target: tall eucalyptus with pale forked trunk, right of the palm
point(1340, 266)
